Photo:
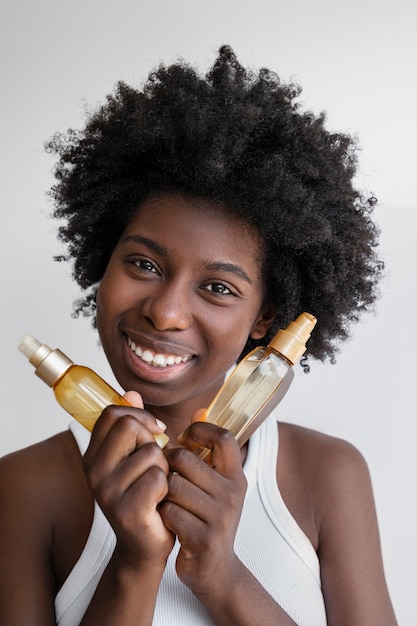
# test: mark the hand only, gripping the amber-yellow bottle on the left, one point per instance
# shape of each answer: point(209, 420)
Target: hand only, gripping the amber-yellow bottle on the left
point(127, 474)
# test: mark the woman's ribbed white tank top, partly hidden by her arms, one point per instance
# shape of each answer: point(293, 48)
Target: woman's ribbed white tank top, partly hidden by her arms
point(268, 541)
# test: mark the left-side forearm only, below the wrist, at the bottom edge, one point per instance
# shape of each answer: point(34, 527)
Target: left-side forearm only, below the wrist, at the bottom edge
point(125, 595)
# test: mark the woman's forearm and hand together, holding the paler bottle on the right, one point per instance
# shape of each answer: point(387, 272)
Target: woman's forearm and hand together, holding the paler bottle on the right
point(203, 508)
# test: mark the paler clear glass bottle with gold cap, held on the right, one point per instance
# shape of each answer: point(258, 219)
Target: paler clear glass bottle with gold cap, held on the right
point(259, 382)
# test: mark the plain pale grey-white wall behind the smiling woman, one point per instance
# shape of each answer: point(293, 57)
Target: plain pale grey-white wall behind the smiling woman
point(357, 61)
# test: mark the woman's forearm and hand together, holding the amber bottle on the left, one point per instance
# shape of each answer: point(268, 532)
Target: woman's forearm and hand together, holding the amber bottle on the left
point(127, 474)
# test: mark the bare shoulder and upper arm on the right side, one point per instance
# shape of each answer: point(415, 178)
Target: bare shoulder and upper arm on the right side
point(326, 484)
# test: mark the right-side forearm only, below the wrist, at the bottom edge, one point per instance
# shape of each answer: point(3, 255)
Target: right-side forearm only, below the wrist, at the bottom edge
point(243, 602)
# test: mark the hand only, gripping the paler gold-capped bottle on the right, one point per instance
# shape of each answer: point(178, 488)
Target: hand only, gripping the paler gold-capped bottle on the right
point(203, 506)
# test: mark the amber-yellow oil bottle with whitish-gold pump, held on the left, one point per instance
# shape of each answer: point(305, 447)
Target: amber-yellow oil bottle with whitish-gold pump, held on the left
point(78, 389)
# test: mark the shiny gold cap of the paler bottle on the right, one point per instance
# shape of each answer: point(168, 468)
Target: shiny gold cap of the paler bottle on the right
point(290, 342)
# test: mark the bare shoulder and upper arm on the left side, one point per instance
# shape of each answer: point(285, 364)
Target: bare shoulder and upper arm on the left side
point(42, 492)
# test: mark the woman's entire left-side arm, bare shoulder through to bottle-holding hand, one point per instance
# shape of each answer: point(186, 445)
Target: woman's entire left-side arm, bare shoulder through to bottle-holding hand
point(43, 499)
